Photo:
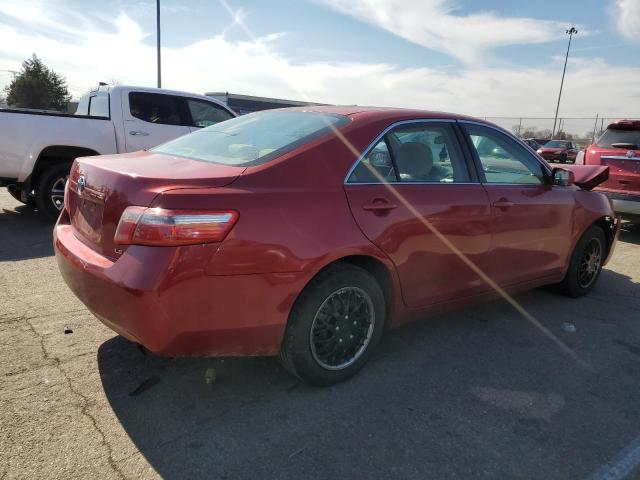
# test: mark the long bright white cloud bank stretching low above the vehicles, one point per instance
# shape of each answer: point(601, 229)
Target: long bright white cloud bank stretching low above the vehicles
point(121, 50)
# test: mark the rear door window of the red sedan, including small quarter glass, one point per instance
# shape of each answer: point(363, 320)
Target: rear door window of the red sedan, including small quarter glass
point(414, 153)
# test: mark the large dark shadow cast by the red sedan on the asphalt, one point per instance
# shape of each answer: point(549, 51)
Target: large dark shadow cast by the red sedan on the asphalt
point(474, 394)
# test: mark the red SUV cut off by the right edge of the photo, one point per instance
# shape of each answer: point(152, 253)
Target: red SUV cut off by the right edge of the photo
point(619, 149)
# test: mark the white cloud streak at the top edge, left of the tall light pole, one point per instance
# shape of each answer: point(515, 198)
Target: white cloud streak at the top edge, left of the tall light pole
point(435, 24)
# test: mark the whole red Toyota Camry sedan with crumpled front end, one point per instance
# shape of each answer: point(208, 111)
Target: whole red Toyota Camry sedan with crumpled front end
point(307, 232)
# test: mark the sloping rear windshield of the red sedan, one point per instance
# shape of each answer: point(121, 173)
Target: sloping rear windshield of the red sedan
point(253, 139)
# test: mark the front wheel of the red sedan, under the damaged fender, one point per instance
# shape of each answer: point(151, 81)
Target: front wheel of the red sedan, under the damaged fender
point(586, 263)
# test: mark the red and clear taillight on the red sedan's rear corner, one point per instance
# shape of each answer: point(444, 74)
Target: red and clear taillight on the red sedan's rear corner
point(164, 227)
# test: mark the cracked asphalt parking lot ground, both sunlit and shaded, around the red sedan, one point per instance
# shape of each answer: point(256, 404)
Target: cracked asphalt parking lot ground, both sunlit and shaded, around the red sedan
point(477, 393)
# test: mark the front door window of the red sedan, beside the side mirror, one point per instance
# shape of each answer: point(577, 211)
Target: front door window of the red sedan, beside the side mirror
point(502, 159)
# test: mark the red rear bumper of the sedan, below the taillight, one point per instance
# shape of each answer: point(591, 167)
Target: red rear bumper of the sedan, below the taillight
point(162, 298)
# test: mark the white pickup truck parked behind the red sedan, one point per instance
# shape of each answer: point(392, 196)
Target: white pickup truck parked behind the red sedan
point(37, 148)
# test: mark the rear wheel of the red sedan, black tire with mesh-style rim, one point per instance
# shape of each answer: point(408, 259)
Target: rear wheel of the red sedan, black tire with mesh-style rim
point(334, 326)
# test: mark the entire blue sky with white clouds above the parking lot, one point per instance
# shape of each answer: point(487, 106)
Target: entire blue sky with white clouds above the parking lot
point(483, 58)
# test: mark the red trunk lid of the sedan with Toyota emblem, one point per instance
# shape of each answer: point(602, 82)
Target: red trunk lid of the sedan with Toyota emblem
point(100, 188)
